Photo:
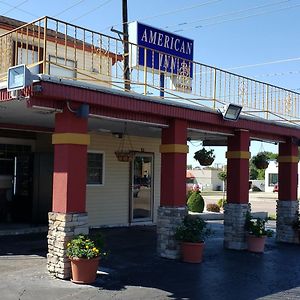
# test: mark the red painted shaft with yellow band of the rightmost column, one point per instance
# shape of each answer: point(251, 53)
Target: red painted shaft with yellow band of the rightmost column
point(288, 171)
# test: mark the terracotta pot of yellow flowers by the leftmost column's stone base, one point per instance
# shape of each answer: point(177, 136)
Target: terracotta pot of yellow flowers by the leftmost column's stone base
point(84, 254)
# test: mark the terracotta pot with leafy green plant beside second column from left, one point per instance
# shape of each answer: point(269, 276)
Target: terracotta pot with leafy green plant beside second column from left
point(191, 233)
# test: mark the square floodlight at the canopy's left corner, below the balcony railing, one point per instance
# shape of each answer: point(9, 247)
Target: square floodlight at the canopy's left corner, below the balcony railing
point(18, 77)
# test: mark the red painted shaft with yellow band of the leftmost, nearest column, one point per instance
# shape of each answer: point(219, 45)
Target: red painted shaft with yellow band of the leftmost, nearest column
point(70, 162)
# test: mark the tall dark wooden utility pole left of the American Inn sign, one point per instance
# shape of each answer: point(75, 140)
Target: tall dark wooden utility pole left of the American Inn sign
point(126, 46)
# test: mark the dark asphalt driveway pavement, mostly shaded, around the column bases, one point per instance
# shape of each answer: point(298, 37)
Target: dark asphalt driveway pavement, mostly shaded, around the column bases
point(133, 271)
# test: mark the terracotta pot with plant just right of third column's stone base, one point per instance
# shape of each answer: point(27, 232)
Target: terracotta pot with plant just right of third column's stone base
point(257, 233)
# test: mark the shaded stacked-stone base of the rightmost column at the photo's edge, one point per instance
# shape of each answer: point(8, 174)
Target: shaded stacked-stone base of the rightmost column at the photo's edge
point(287, 213)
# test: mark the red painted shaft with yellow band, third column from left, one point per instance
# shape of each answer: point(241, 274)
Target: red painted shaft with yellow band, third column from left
point(238, 167)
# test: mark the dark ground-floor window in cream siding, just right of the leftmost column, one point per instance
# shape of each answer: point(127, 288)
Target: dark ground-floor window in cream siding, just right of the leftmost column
point(95, 168)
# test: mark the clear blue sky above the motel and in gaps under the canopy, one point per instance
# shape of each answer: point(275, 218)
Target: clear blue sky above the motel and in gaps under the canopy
point(257, 38)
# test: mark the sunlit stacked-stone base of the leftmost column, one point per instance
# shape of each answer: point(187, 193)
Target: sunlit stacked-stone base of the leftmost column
point(62, 227)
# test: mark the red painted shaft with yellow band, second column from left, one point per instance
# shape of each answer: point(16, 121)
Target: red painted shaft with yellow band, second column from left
point(173, 164)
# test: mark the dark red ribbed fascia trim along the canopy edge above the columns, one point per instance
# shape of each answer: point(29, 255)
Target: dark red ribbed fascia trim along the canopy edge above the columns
point(127, 106)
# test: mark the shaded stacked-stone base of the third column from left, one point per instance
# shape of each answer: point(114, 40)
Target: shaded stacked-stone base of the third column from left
point(234, 226)
